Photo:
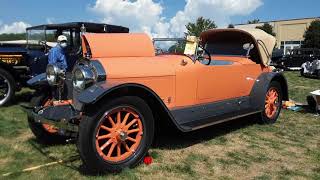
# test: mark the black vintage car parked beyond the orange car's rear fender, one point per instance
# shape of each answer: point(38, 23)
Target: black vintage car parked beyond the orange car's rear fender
point(297, 57)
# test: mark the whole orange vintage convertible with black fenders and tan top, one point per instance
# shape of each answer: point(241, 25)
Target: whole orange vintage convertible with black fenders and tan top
point(120, 91)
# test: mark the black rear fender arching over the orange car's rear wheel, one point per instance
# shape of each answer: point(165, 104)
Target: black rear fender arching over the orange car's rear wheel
point(261, 85)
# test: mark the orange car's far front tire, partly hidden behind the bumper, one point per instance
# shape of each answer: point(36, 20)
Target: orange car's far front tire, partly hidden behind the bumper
point(45, 134)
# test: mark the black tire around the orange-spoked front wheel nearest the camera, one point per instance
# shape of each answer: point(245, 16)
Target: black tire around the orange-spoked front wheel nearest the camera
point(95, 158)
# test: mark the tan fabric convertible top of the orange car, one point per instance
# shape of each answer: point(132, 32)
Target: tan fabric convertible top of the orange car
point(259, 38)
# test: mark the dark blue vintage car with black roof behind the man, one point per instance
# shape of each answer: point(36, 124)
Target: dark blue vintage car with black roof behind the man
point(23, 59)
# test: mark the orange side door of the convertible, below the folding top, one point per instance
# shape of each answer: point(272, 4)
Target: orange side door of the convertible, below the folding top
point(221, 80)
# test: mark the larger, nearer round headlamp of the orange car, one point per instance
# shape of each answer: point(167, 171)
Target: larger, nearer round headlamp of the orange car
point(83, 77)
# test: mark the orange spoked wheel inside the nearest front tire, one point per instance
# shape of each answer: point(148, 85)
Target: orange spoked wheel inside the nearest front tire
point(119, 134)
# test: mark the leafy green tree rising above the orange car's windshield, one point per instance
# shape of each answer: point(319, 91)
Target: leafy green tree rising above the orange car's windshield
point(201, 24)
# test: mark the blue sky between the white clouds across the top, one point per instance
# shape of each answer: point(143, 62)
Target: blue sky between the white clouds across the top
point(35, 12)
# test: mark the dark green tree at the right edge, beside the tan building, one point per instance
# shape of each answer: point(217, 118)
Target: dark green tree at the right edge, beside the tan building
point(312, 35)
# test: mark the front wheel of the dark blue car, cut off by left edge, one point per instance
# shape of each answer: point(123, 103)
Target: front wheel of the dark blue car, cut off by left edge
point(7, 82)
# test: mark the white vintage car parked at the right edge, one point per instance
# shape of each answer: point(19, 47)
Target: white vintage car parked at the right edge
point(311, 69)
